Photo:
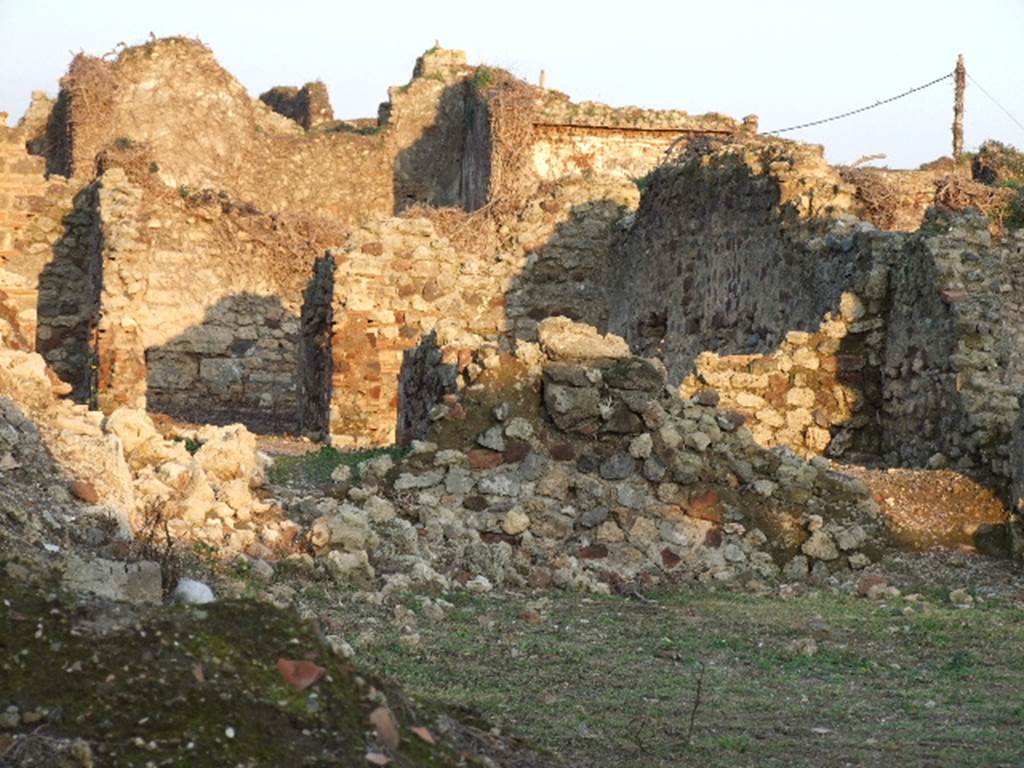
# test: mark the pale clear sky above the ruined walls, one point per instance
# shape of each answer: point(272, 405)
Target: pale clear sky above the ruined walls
point(788, 62)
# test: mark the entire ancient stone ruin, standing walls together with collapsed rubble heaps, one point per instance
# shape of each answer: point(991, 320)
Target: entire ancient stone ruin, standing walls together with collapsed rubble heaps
point(621, 343)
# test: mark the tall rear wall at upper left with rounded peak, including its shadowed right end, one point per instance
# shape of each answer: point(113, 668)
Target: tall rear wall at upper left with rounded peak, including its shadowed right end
point(204, 133)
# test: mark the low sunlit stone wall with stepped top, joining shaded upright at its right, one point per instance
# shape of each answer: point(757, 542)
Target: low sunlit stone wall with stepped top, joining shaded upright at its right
point(818, 392)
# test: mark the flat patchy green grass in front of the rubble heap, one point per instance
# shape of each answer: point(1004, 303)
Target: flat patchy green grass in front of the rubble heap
point(614, 681)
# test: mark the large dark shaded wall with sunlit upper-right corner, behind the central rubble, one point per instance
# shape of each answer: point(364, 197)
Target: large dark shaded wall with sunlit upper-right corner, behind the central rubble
point(719, 259)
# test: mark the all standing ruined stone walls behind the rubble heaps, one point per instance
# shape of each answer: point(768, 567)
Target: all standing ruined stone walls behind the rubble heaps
point(170, 243)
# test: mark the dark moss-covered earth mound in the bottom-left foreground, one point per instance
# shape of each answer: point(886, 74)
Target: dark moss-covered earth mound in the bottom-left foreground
point(202, 688)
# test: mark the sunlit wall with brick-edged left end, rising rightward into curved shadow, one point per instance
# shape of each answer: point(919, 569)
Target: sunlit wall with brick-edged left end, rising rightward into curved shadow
point(399, 280)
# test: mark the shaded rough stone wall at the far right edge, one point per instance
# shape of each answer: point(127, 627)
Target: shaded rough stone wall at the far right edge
point(954, 374)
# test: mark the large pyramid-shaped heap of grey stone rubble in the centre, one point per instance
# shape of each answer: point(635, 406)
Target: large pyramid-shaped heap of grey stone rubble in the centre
point(554, 467)
